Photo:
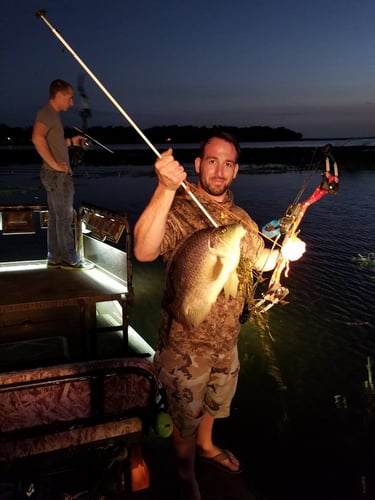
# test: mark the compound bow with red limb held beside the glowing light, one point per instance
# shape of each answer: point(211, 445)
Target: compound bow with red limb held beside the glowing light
point(288, 226)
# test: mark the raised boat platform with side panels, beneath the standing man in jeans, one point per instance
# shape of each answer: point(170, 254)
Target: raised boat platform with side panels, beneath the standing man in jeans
point(79, 306)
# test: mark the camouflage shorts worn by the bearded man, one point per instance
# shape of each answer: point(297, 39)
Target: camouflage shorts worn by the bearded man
point(197, 384)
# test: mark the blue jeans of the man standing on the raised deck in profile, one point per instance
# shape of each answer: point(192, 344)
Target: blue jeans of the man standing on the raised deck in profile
point(60, 235)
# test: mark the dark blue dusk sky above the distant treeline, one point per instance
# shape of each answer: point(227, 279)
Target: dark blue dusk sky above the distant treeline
point(304, 65)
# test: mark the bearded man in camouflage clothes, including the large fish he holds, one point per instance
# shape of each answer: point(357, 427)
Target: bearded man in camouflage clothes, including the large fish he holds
point(208, 270)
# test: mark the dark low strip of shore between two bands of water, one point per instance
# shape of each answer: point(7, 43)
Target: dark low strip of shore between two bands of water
point(300, 157)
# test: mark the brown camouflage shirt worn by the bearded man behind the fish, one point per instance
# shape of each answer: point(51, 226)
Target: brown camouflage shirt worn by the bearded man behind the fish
point(220, 329)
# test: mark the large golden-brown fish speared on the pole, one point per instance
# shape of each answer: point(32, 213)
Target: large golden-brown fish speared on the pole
point(203, 265)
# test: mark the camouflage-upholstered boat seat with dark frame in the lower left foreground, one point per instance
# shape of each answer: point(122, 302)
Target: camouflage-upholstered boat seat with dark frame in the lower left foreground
point(45, 410)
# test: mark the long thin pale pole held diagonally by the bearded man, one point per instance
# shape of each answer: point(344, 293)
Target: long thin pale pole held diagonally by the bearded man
point(42, 15)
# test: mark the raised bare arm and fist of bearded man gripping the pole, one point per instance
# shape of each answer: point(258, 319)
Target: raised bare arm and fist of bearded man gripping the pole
point(150, 227)
